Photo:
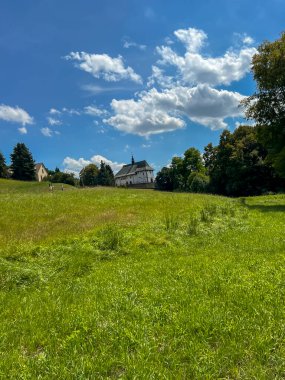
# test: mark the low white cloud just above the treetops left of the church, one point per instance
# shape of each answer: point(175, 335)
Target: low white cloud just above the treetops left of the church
point(74, 166)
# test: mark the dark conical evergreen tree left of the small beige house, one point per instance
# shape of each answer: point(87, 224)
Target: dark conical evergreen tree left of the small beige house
point(22, 163)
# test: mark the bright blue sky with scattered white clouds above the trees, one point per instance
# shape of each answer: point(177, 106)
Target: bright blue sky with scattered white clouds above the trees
point(82, 80)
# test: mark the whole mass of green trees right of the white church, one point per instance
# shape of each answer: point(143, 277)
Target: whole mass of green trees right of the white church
point(251, 160)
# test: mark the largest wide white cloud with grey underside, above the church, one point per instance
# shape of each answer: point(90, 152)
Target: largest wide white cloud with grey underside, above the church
point(157, 112)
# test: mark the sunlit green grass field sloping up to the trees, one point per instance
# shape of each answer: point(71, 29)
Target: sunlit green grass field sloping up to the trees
point(132, 284)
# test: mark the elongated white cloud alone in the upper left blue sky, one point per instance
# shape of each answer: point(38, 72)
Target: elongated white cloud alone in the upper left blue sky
point(103, 66)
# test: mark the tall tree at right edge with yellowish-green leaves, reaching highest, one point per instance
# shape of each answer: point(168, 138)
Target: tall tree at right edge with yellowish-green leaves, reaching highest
point(266, 105)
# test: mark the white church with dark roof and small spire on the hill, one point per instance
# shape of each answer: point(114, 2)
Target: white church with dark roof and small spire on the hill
point(137, 174)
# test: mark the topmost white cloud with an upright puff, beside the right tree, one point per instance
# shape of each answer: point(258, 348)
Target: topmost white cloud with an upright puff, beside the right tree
point(194, 68)
